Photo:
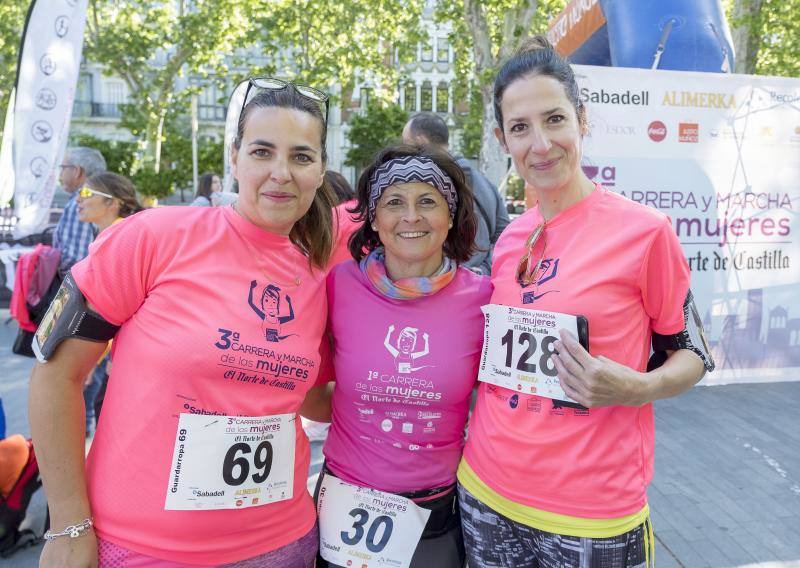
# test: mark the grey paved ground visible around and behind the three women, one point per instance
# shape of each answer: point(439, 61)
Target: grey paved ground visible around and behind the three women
point(727, 485)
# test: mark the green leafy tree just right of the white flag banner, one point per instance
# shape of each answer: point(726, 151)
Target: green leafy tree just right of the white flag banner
point(149, 44)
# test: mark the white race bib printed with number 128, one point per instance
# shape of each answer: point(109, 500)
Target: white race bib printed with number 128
point(518, 344)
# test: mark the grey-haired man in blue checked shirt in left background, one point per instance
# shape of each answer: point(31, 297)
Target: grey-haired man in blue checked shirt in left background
point(73, 236)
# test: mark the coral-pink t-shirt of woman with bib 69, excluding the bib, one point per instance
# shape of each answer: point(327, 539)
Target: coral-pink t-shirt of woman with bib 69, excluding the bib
point(197, 337)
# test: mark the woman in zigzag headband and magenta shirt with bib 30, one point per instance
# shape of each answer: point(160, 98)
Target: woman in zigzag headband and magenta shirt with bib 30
point(406, 325)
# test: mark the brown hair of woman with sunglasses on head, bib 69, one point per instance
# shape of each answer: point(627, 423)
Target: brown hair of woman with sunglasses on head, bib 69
point(313, 232)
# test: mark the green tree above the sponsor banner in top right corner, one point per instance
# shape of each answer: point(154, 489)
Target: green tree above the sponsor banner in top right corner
point(766, 36)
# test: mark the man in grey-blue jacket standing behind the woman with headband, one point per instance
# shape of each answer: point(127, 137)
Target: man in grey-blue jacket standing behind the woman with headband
point(490, 209)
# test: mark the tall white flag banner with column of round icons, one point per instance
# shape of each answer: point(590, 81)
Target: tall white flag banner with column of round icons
point(46, 81)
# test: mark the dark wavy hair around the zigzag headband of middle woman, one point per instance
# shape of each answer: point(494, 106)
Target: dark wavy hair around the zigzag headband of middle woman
point(460, 242)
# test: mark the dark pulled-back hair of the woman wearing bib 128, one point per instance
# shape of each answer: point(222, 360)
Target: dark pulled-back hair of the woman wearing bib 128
point(537, 56)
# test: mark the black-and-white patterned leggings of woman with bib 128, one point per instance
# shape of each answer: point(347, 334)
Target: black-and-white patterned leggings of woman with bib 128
point(493, 540)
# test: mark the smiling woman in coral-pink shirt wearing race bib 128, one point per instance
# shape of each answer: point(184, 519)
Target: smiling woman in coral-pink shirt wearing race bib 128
point(560, 480)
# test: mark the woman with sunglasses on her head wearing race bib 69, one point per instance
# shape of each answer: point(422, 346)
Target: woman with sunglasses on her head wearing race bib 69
point(199, 460)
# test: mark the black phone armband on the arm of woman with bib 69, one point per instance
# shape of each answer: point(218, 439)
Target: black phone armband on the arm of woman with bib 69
point(69, 317)
